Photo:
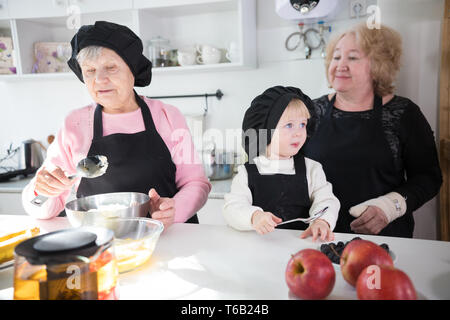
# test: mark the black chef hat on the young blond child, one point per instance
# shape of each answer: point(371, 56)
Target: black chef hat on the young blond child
point(263, 115)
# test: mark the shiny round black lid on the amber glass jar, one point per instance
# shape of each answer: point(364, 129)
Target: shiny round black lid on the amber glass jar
point(64, 246)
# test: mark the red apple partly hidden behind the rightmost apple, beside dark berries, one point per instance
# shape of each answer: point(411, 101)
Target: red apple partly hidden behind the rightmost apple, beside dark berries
point(359, 254)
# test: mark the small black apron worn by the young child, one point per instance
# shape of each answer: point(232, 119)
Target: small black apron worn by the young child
point(286, 196)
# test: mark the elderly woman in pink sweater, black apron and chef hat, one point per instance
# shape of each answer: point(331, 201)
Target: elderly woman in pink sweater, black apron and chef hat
point(147, 143)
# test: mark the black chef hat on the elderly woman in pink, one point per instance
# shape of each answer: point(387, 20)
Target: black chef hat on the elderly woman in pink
point(115, 37)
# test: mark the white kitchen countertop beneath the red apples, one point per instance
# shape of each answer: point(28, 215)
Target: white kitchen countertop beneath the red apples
point(216, 262)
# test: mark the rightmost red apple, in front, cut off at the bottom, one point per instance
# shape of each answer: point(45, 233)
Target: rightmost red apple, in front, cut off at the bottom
point(384, 283)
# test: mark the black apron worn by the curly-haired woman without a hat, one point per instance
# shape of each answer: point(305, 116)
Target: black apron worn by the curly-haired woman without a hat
point(358, 162)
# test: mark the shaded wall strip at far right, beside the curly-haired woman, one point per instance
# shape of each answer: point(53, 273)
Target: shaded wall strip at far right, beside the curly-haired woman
point(420, 22)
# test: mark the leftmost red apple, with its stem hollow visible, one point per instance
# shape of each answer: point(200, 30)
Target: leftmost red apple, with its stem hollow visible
point(310, 274)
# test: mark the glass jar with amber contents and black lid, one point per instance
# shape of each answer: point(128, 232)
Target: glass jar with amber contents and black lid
point(70, 264)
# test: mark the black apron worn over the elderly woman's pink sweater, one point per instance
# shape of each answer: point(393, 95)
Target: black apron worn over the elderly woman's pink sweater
point(136, 162)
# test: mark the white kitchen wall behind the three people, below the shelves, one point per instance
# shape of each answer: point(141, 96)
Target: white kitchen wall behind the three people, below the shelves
point(35, 109)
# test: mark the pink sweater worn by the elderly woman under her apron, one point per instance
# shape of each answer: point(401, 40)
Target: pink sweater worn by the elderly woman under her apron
point(73, 141)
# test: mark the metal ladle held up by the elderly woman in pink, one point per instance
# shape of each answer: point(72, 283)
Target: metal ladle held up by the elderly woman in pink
point(89, 167)
